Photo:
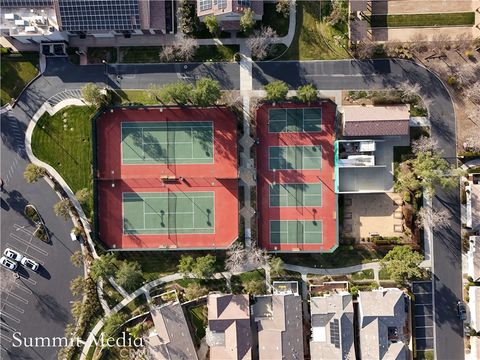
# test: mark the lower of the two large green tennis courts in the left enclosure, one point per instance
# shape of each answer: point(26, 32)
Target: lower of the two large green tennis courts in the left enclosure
point(168, 213)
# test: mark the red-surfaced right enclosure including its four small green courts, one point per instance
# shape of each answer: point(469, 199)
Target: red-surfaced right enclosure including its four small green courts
point(290, 221)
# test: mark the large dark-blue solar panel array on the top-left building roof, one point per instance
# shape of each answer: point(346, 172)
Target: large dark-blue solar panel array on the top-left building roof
point(86, 15)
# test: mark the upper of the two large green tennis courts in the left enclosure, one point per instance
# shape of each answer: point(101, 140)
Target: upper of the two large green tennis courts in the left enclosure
point(181, 142)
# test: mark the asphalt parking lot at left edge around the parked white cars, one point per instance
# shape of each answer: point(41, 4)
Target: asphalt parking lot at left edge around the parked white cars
point(36, 305)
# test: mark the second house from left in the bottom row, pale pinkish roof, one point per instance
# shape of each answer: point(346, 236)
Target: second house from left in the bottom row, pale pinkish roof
point(229, 333)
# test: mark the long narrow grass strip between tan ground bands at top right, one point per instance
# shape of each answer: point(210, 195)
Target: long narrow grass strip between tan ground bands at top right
point(409, 20)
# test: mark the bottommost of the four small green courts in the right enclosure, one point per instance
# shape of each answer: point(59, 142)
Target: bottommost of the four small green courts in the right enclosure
point(295, 232)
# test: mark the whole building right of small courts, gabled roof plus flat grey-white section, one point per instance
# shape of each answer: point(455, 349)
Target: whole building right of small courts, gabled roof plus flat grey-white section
point(364, 156)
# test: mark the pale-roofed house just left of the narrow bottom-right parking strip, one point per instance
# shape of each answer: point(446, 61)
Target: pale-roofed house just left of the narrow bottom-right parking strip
point(382, 319)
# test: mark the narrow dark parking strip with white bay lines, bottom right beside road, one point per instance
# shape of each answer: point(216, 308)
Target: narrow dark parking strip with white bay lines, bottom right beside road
point(423, 315)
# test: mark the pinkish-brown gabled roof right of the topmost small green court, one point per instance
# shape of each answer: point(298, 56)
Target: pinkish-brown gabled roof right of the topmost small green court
point(376, 120)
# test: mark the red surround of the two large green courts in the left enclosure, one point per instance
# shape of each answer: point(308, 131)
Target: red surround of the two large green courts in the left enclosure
point(115, 176)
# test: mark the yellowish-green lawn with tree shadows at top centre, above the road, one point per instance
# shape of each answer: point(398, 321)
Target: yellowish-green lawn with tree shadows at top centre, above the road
point(314, 38)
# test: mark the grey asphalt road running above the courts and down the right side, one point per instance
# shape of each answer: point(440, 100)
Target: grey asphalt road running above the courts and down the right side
point(326, 75)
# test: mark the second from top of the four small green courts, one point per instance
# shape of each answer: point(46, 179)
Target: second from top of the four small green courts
point(295, 157)
